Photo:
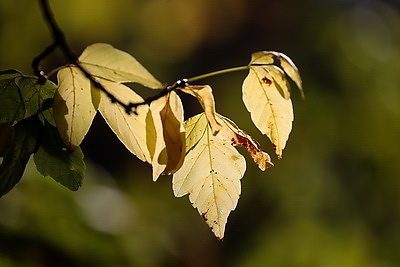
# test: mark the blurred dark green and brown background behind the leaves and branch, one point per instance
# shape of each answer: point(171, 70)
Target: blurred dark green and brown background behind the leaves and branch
point(334, 198)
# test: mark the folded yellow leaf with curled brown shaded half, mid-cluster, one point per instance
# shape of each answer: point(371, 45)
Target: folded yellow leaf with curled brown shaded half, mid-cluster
point(167, 114)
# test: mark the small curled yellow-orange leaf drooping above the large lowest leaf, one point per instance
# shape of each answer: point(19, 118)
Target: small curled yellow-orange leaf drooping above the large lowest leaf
point(204, 95)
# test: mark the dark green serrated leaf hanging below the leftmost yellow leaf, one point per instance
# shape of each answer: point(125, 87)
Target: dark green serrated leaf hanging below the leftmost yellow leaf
point(54, 160)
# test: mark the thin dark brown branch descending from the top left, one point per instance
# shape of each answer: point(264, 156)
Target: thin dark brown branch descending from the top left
point(59, 40)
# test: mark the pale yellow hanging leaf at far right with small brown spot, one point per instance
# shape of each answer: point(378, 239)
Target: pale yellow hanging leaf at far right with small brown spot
point(270, 111)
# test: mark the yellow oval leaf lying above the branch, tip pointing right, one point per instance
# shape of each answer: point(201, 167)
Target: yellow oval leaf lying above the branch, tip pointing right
point(106, 62)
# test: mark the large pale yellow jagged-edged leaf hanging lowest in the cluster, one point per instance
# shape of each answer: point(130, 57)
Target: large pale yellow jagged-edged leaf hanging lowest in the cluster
point(210, 174)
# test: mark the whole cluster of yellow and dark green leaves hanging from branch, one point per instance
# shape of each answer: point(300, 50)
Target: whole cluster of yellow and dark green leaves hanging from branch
point(50, 121)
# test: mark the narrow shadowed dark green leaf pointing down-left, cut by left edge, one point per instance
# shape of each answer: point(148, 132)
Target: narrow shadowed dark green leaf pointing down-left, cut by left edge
point(15, 160)
